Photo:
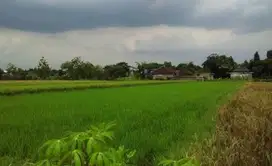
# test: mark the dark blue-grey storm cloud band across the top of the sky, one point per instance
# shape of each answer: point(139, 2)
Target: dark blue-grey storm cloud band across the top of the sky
point(47, 16)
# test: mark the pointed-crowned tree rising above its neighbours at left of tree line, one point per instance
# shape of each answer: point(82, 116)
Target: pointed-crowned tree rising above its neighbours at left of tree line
point(43, 69)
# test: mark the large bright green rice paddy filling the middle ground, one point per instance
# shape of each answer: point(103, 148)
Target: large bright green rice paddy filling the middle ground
point(161, 118)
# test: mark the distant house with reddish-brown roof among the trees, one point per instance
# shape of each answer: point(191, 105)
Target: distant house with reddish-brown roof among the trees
point(165, 73)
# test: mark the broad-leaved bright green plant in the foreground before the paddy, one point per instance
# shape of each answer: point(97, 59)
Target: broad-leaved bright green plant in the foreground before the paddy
point(89, 148)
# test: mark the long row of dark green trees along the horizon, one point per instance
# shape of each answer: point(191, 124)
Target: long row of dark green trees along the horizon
point(77, 69)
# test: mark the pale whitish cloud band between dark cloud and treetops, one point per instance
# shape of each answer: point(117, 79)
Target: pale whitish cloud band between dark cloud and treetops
point(100, 46)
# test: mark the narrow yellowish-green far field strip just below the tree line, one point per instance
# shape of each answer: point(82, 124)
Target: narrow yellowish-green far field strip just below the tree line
point(18, 87)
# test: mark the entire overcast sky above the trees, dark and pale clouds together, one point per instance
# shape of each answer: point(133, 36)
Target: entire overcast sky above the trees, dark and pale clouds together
point(110, 31)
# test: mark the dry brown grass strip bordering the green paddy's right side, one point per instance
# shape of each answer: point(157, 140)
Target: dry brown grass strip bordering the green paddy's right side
point(244, 131)
